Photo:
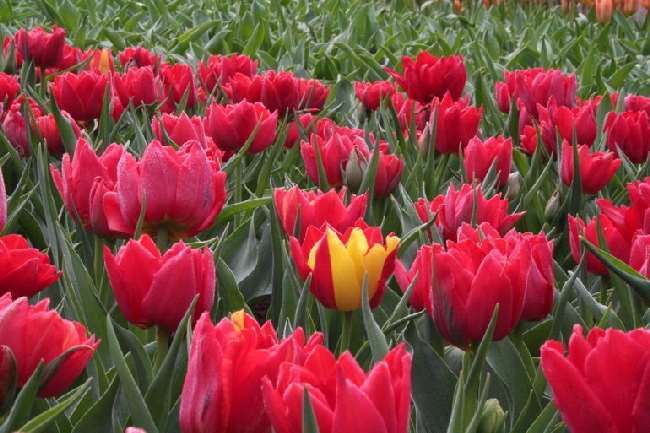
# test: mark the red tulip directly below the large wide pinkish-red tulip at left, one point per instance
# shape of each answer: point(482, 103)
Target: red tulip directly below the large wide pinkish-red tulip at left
point(157, 289)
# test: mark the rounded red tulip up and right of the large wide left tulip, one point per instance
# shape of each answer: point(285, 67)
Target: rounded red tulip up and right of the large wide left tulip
point(231, 126)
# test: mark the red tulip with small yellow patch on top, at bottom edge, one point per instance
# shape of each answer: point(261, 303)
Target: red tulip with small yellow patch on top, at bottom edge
point(227, 363)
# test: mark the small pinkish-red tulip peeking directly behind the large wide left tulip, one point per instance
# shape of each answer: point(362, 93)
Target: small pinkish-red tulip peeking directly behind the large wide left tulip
point(179, 129)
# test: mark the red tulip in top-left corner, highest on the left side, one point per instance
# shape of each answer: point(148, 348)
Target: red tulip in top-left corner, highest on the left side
point(41, 47)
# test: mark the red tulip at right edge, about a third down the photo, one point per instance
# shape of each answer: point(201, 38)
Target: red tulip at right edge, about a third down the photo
point(629, 132)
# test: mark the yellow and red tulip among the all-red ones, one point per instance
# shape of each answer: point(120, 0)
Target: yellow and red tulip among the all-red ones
point(338, 263)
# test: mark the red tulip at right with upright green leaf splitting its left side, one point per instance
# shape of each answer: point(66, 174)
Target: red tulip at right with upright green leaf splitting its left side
point(596, 168)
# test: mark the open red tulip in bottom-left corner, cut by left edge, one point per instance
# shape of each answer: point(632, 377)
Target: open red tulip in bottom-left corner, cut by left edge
point(34, 333)
